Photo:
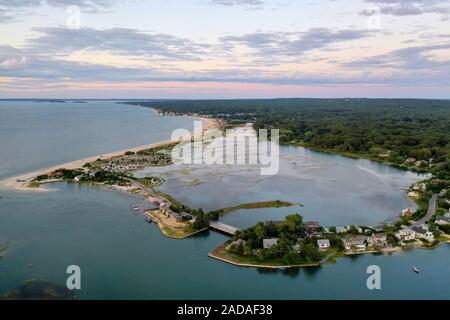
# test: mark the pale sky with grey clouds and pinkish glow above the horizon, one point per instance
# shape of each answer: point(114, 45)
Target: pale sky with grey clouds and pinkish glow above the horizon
point(202, 49)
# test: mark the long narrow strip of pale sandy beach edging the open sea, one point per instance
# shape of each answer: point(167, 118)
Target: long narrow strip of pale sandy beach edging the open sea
point(19, 182)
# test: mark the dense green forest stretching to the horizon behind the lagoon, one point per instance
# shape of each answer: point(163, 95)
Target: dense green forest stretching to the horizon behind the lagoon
point(411, 133)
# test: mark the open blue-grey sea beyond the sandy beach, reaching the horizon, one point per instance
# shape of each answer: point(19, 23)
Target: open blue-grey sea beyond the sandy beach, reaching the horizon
point(36, 135)
